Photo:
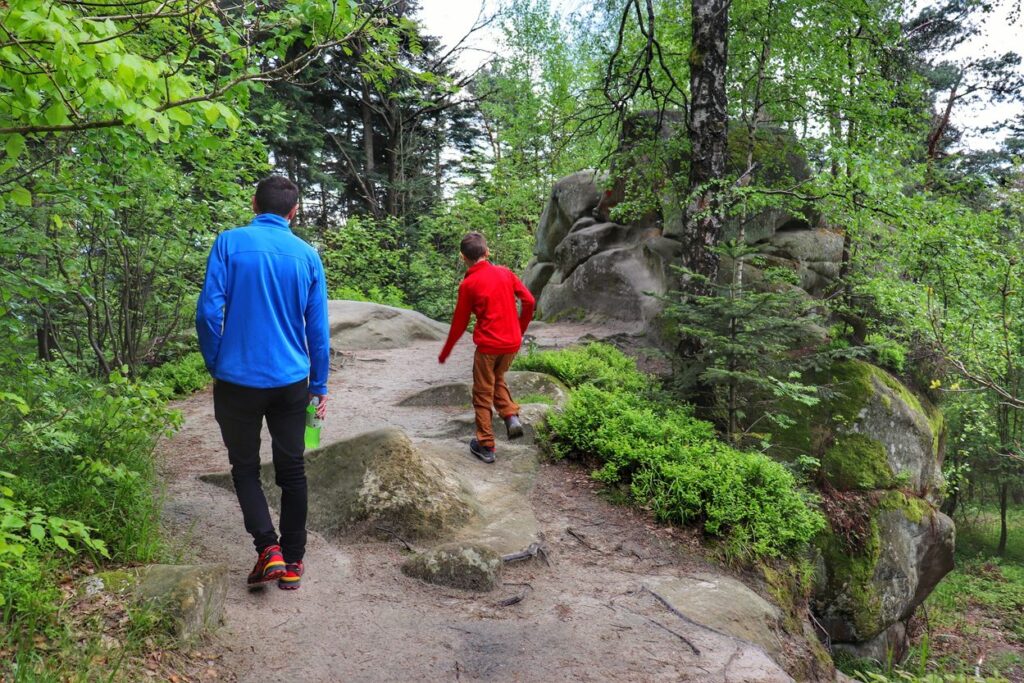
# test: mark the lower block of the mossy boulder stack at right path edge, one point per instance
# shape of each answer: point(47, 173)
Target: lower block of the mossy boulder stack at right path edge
point(908, 548)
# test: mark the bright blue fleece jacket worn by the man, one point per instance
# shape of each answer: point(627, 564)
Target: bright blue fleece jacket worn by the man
point(262, 317)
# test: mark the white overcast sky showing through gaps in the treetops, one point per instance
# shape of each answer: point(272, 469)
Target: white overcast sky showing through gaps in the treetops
point(1002, 32)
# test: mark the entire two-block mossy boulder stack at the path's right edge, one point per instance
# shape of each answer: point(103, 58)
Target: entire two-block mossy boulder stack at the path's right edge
point(880, 447)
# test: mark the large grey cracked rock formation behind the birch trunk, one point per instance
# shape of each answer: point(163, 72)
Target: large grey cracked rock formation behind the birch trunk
point(587, 267)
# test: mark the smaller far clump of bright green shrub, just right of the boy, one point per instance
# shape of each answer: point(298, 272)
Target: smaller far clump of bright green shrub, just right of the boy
point(598, 364)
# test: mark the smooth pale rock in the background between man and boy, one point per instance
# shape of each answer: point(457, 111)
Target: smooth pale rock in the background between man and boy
point(361, 325)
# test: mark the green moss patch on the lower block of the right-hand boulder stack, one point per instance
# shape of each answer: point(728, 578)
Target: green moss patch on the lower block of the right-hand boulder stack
point(850, 576)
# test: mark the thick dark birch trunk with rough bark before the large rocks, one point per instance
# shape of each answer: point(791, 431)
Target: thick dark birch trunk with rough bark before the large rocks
point(708, 130)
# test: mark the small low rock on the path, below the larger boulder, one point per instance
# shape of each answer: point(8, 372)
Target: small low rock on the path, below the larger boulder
point(468, 567)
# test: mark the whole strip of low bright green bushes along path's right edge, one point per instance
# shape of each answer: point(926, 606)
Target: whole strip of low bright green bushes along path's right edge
point(672, 463)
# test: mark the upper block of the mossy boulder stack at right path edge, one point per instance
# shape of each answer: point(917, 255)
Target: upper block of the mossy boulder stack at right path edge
point(869, 431)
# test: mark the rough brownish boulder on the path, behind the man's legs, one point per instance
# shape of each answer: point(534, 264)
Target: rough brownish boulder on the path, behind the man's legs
point(378, 479)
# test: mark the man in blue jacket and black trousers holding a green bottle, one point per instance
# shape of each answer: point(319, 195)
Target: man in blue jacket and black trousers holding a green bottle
point(264, 331)
